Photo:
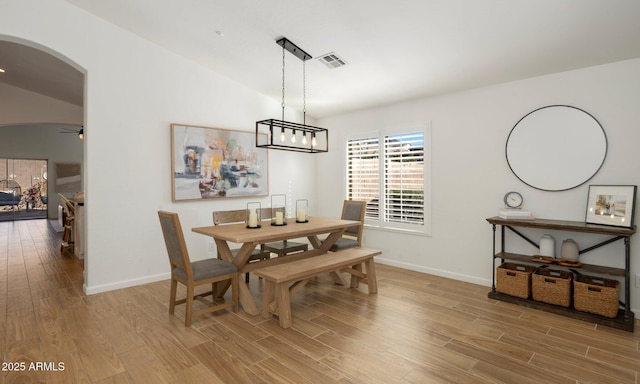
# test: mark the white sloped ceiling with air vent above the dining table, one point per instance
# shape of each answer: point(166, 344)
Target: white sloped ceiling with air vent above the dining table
point(395, 50)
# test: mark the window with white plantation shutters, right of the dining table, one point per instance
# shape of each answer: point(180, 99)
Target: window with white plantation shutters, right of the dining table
point(389, 172)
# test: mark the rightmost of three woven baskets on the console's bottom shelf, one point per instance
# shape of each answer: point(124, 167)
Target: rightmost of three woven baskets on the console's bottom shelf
point(596, 295)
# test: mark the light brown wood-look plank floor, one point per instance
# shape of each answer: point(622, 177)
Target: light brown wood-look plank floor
point(417, 329)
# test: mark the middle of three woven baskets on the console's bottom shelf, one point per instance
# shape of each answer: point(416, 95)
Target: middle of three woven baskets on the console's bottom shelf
point(552, 286)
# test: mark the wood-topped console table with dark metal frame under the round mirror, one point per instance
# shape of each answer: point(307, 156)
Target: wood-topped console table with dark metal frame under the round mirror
point(625, 318)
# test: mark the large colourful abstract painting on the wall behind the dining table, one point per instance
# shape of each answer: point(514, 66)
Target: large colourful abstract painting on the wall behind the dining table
point(214, 163)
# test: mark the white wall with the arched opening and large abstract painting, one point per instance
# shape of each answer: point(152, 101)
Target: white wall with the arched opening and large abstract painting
point(134, 91)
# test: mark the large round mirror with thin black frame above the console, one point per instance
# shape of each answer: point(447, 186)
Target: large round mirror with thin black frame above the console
point(556, 148)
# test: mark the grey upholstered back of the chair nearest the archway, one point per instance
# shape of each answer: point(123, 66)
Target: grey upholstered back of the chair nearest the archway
point(174, 241)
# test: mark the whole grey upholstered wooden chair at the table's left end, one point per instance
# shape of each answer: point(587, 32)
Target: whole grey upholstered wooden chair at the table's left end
point(192, 274)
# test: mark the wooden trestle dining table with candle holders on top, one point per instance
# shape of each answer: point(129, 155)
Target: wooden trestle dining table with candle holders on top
point(250, 238)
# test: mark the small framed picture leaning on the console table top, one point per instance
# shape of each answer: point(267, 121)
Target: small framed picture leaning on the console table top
point(611, 205)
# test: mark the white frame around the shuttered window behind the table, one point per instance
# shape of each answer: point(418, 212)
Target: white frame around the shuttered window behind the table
point(380, 222)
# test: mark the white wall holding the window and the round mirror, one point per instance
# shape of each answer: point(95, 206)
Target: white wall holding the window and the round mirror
point(470, 174)
